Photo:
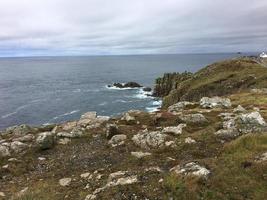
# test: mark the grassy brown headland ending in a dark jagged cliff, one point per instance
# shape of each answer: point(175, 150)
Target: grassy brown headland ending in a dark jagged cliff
point(218, 79)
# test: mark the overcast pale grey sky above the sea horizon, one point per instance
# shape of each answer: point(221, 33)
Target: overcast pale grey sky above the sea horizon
point(117, 27)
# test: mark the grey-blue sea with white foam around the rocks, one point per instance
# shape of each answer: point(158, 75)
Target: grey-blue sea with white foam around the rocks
point(43, 90)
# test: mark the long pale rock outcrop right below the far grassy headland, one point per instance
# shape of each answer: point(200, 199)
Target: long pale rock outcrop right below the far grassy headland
point(215, 102)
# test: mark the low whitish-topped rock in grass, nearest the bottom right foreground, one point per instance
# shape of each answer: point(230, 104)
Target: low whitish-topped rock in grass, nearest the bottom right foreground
point(190, 169)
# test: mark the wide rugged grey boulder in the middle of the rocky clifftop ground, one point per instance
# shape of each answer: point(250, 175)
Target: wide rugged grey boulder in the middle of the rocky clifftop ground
point(147, 140)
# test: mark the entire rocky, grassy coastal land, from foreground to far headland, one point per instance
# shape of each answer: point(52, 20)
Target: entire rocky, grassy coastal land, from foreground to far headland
point(209, 141)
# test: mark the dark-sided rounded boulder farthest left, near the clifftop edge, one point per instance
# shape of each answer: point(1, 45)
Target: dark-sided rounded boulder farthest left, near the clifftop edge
point(45, 140)
